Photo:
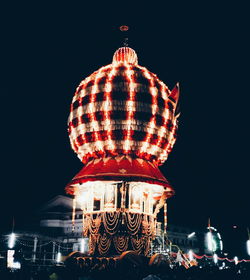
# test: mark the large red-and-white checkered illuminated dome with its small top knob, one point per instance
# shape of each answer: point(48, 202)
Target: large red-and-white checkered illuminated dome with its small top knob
point(123, 109)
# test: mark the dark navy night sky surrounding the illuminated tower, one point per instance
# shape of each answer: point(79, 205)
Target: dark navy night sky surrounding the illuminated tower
point(47, 49)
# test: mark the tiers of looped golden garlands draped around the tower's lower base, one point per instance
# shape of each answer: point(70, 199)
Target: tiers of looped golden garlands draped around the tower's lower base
point(118, 228)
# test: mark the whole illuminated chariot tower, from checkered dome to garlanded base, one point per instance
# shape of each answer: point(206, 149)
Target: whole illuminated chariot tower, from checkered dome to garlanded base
point(122, 125)
